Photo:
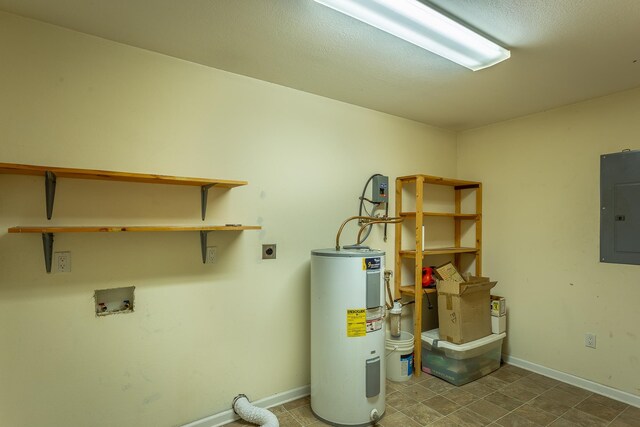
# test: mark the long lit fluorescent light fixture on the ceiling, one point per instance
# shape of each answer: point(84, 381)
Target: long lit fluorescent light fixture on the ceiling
point(416, 23)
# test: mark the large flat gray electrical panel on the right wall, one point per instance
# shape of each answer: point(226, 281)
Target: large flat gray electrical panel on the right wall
point(620, 207)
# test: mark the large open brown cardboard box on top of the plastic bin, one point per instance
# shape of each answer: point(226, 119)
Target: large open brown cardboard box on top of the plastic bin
point(463, 315)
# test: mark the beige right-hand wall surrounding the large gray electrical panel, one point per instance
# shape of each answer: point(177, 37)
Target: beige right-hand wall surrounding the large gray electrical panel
point(541, 237)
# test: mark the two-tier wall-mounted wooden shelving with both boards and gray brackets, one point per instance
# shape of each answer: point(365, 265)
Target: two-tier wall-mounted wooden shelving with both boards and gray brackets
point(51, 174)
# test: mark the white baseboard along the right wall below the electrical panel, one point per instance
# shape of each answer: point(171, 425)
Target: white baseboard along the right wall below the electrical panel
point(604, 390)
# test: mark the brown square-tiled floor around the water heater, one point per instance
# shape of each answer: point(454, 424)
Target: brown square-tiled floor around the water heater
point(509, 396)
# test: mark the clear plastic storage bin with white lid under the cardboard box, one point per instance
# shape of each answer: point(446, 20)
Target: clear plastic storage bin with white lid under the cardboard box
point(460, 363)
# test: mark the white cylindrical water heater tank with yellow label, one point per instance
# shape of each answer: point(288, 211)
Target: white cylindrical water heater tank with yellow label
point(347, 336)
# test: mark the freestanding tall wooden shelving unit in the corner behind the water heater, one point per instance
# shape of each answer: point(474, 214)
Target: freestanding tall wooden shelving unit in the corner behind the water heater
point(418, 254)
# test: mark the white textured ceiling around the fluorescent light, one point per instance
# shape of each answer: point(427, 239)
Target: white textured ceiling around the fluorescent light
point(563, 51)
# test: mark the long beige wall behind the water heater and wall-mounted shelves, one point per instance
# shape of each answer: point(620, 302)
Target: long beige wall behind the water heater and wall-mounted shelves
point(200, 334)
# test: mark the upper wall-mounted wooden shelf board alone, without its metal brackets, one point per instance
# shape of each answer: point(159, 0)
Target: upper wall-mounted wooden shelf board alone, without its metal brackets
point(13, 168)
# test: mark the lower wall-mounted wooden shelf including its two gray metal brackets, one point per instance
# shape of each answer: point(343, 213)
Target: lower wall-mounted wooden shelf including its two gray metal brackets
point(48, 232)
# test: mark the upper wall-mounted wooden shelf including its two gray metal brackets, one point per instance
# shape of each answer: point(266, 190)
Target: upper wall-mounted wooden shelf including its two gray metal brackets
point(51, 174)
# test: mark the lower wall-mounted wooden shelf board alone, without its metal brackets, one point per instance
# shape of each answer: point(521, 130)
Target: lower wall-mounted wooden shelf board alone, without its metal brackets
point(137, 228)
